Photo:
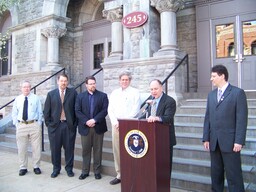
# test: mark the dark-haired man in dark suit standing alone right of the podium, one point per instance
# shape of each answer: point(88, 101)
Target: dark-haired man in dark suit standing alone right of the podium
point(224, 133)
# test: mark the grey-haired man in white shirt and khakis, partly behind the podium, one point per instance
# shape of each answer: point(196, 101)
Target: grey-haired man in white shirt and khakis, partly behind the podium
point(124, 102)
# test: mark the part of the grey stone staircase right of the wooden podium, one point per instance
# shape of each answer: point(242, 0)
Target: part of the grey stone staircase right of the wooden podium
point(191, 163)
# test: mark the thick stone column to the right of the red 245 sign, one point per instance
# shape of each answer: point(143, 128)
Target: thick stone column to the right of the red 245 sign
point(167, 10)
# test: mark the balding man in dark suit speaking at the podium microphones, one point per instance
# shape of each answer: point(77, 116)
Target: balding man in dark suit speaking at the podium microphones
point(165, 108)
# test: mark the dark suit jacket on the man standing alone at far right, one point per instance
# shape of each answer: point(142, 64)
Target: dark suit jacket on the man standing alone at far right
point(226, 121)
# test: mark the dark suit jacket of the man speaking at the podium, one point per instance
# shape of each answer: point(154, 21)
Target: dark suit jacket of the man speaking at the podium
point(166, 110)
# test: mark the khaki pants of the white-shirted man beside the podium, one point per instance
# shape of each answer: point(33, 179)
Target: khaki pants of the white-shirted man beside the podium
point(116, 151)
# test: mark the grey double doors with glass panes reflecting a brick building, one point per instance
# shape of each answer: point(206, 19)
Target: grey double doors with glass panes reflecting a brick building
point(234, 45)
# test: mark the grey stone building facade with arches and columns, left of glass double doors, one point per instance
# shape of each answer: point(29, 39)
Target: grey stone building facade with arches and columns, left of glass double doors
point(49, 35)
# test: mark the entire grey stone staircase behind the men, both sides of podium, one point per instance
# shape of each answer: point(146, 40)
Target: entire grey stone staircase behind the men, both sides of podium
point(191, 165)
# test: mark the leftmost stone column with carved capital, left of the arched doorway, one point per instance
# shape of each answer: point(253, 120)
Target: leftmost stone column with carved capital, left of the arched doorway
point(53, 34)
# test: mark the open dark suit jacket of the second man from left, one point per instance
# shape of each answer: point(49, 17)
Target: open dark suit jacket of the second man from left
point(52, 109)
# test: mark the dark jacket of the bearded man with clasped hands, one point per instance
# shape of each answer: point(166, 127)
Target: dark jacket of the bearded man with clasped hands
point(99, 113)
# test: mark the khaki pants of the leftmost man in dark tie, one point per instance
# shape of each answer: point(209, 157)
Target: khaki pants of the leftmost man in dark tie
point(26, 133)
